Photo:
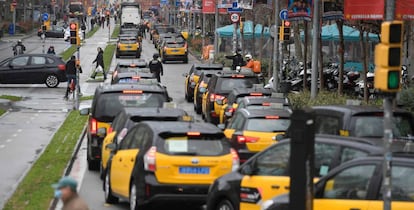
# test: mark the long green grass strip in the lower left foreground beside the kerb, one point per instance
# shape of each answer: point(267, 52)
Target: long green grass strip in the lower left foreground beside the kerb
point(35, 191)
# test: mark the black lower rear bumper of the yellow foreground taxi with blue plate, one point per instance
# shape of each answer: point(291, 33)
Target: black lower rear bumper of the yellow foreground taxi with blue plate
point(156, 191)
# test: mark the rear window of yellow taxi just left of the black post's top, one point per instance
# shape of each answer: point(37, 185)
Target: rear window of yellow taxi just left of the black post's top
point(267, 125)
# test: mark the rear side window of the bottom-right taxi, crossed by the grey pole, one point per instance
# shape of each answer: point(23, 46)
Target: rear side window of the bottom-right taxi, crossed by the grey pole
point(402, 184)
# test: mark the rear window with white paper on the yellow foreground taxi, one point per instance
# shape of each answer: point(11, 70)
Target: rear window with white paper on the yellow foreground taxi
point(190, 146)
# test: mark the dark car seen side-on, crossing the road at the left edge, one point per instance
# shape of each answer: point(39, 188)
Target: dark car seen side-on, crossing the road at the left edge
point(33, 69)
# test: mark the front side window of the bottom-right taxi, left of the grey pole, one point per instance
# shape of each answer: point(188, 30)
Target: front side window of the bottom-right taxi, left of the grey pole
point(351, 183)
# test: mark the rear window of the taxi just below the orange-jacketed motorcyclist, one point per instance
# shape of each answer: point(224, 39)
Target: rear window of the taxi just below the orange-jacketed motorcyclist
point(226, 85)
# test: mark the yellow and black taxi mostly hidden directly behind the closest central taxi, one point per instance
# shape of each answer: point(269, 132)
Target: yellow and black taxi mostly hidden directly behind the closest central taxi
point(127, 118)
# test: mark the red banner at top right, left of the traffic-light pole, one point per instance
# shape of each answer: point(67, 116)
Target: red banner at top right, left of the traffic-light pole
point(364, 9)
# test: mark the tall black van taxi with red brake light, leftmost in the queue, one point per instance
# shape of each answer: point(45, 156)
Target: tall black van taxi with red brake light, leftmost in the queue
point(108, 100)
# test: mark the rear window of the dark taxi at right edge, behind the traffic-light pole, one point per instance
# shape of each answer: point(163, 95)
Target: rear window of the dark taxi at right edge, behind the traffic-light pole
point(372, 126)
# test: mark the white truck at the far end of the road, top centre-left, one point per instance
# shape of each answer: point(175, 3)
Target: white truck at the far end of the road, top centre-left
point(130, 14)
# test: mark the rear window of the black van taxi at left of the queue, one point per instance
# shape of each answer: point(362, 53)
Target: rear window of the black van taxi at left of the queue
point(109, 104)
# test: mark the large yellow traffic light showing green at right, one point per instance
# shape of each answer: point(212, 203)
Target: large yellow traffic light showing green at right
point(388, 57)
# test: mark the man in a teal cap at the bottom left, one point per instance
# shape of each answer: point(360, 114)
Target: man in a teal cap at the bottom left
point(66, 190)
